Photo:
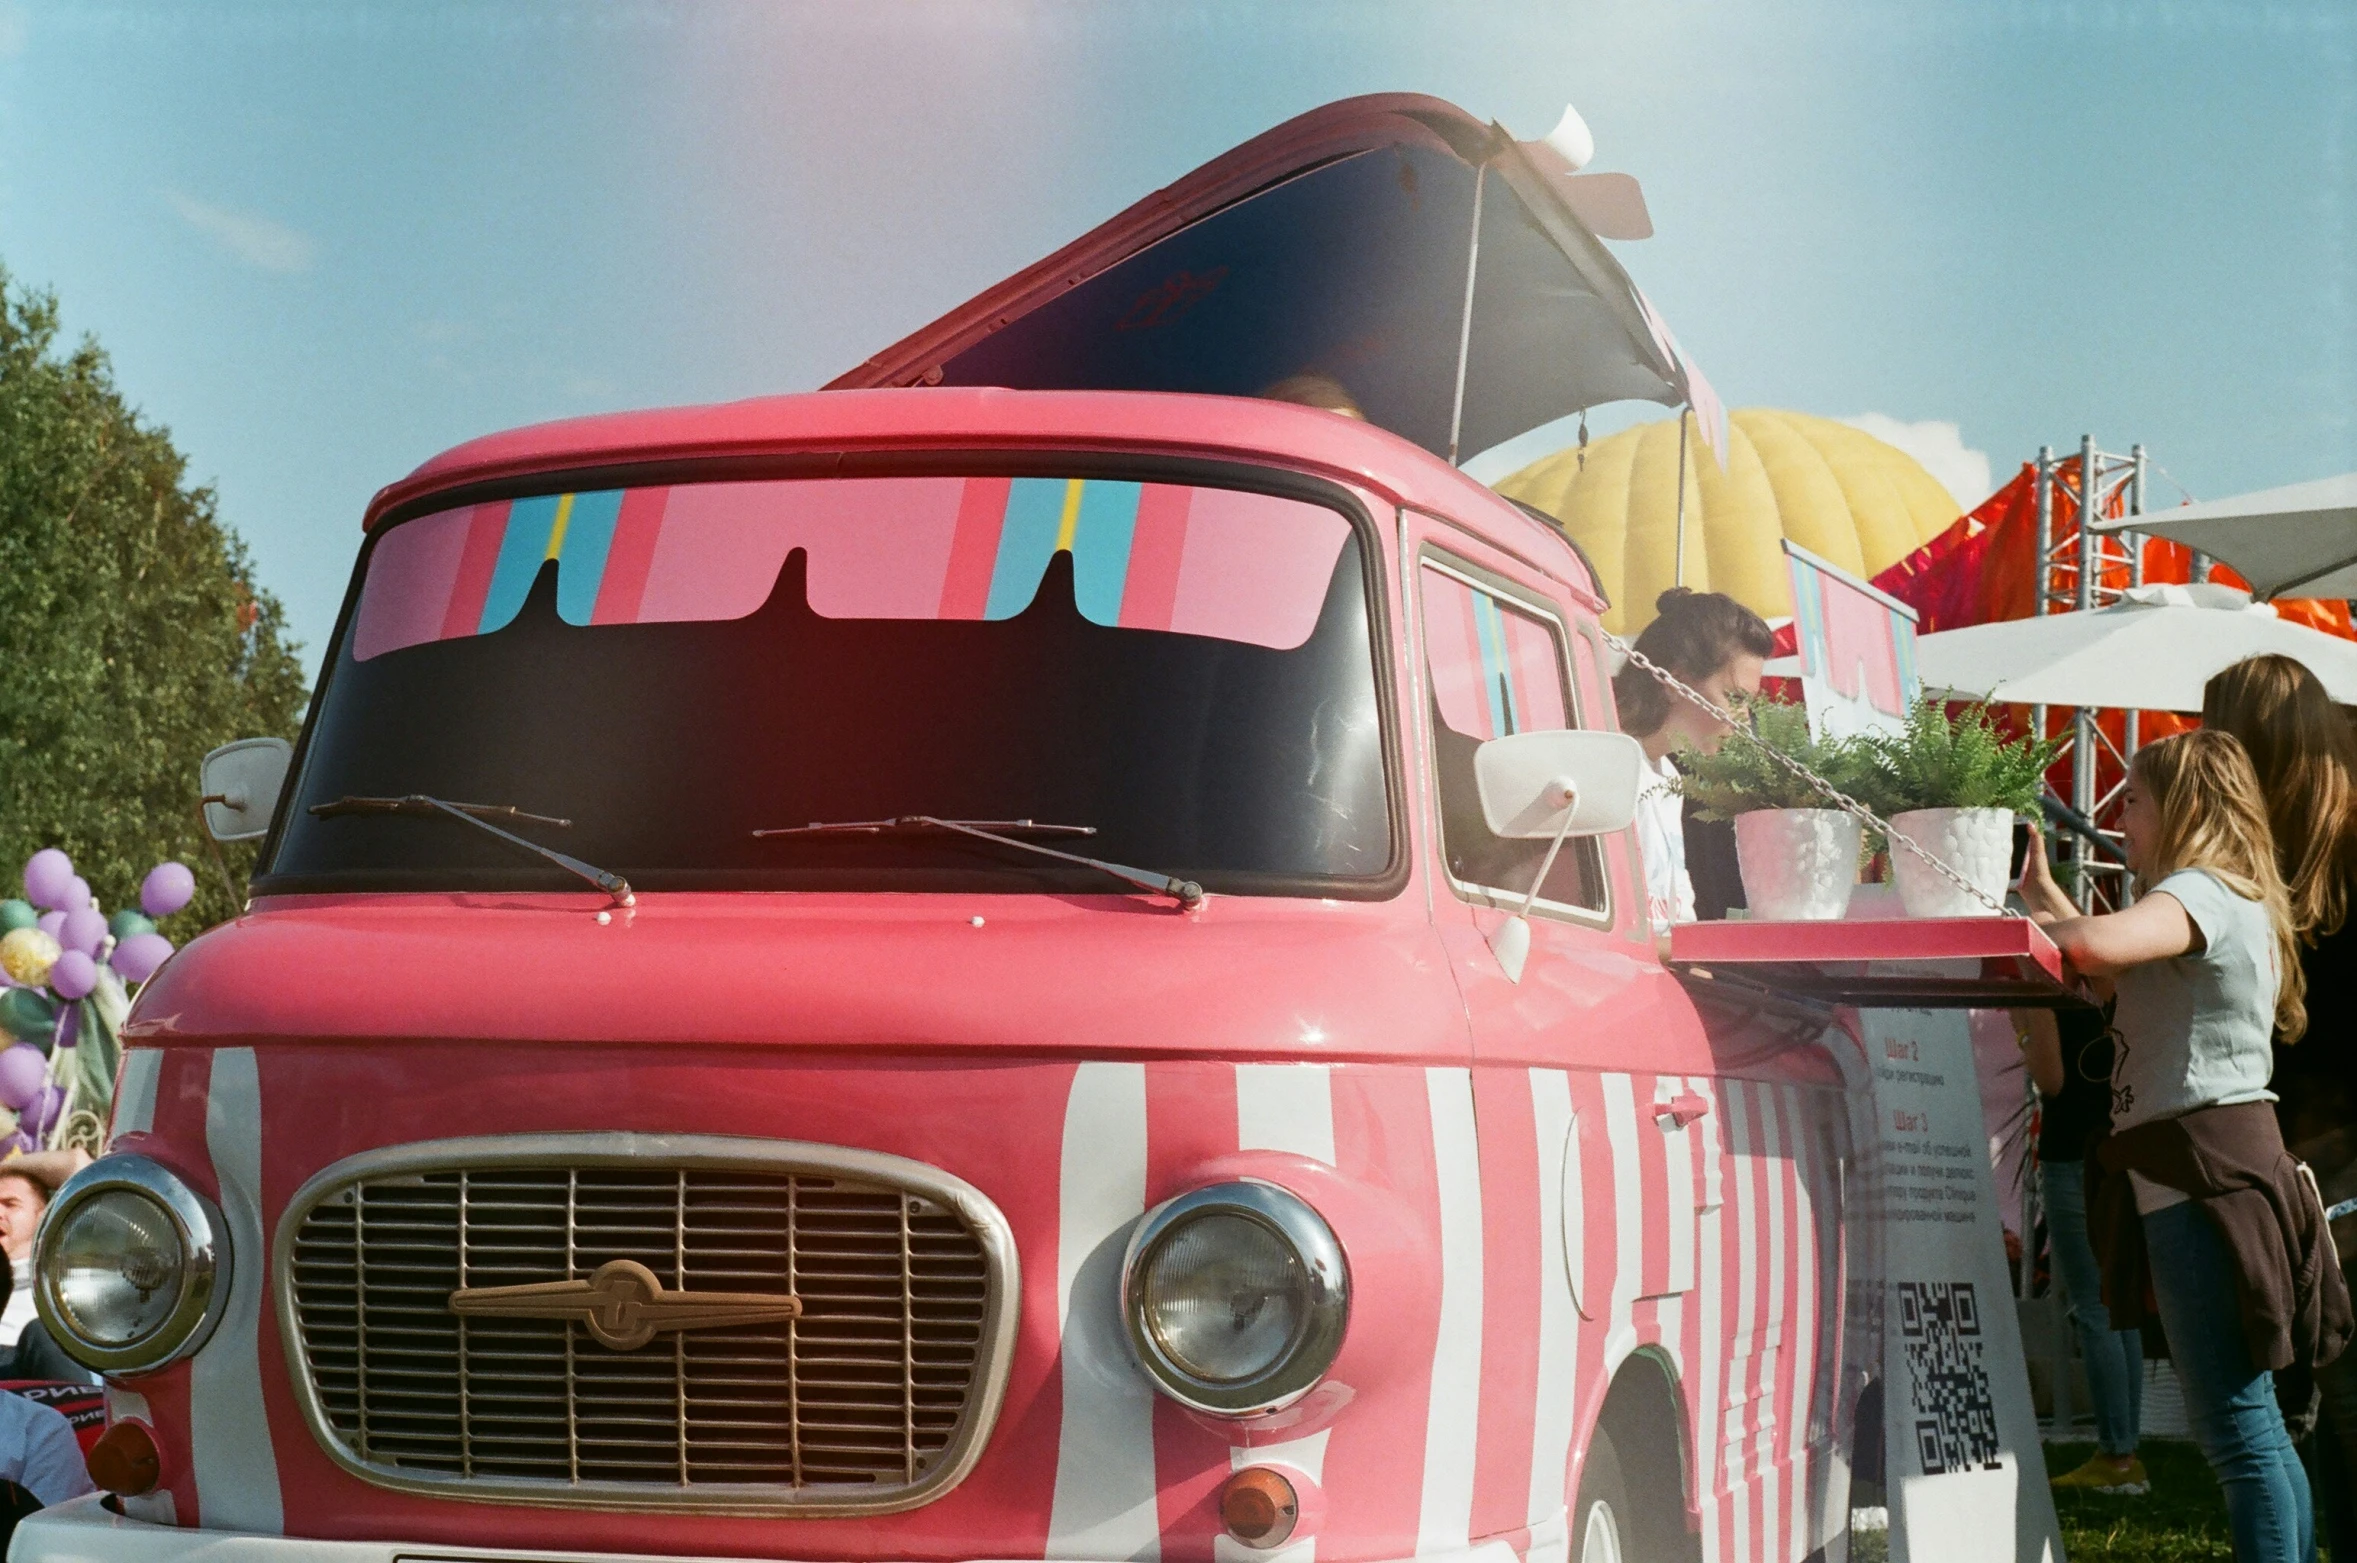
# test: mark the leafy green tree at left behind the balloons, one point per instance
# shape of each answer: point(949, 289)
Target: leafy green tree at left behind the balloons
point(131, 633)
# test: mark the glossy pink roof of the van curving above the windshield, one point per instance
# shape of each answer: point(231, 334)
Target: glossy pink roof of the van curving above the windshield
point(989, 418)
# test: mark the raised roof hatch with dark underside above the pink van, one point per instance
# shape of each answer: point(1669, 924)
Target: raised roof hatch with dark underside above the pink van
point(1340, 244)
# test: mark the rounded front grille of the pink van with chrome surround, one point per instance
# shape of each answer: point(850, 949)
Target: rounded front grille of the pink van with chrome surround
point(473, 1211)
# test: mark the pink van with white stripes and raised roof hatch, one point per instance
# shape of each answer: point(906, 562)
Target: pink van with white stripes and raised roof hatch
point(965, 972)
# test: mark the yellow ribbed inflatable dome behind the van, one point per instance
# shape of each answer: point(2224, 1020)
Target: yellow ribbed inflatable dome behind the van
point(1833, 489)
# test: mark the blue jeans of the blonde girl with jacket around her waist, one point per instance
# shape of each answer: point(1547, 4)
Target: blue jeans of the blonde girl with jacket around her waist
point(2229, 1402)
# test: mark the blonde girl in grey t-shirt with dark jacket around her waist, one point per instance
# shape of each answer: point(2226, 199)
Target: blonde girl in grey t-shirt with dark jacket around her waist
point(2212, 1211)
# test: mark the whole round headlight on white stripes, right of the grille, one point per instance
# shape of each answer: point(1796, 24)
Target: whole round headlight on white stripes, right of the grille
point(1236, 1298)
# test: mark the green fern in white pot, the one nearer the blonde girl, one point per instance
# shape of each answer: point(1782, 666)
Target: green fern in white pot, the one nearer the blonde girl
point(1953, 789)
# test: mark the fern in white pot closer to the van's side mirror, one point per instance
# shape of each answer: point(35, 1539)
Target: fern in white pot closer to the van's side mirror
point(1797, 855)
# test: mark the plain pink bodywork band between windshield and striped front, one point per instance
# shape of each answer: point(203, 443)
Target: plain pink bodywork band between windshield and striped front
point(1260, 980)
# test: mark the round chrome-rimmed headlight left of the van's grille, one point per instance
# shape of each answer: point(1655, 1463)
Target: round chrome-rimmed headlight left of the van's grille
point(128, 1267)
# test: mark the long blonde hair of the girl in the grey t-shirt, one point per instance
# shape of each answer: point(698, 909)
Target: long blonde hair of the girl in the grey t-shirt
point(2217, 819)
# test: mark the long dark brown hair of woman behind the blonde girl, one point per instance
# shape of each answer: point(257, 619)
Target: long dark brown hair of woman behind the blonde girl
point(2306, 765)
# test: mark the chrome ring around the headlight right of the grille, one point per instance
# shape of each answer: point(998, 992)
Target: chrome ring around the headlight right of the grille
point(1326, 1298)
